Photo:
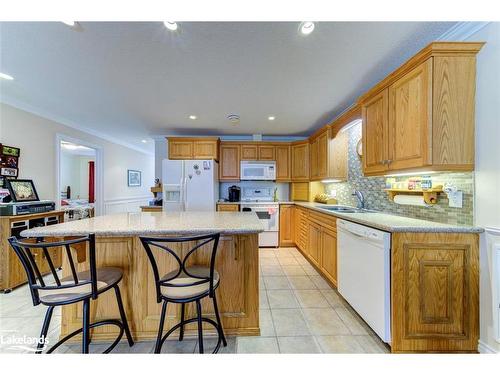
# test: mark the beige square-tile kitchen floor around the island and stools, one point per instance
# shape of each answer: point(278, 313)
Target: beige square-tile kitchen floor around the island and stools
point(299, 313)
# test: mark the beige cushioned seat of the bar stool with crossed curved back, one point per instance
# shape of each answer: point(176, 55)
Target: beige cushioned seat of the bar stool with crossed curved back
point(179, 292)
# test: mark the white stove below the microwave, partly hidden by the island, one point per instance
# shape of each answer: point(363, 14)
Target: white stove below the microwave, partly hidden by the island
point(261, 201)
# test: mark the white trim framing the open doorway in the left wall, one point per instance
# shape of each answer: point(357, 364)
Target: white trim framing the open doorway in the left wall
point(99, 183)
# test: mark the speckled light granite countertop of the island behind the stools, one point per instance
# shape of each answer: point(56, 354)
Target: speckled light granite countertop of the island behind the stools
point(155, 223)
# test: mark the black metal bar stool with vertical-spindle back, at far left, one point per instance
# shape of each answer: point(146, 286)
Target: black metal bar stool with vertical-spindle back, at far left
point(79, 287)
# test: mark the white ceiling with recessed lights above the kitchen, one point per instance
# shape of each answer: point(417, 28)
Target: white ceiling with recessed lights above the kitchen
point(131, 81)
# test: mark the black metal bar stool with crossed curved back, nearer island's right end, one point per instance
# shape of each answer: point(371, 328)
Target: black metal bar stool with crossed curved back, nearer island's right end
point(189, 283)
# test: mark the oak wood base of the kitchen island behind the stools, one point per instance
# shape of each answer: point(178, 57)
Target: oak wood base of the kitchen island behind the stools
point(237, 262)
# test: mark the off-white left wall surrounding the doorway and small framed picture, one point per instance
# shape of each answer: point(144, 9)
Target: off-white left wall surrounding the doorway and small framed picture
point(36, 136)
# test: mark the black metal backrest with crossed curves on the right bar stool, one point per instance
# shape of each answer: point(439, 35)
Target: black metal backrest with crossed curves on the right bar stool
point(163, 243)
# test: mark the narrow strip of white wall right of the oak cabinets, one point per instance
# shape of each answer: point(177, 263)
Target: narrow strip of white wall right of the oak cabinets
point(487, 181)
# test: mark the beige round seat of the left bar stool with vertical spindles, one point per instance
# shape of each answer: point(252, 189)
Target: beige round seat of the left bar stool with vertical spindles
point(107, 277)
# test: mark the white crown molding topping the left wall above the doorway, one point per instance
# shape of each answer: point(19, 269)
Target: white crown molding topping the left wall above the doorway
point(70, 124)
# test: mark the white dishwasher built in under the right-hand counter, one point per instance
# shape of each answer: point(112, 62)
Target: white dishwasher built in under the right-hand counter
point(364, 271)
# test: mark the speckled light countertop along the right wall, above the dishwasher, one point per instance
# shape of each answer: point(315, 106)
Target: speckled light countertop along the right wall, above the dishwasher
point(392, 223)
